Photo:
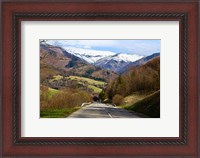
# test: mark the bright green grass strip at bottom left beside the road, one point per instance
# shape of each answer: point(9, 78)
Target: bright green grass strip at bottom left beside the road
point(57, 113)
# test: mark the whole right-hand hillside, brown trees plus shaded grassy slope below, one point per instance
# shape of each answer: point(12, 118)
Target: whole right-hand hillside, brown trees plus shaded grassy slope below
point(138, 81)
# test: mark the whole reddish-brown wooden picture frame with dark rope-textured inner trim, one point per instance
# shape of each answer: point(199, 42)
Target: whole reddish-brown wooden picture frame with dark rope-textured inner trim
point(187, 144)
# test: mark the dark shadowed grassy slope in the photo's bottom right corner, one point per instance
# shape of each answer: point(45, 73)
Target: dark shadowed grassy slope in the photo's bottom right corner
point(150, 105)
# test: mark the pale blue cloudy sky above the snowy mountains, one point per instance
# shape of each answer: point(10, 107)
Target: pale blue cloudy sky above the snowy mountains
point(140, 47)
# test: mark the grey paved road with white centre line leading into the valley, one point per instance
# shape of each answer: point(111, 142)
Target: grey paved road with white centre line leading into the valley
point(99, 110)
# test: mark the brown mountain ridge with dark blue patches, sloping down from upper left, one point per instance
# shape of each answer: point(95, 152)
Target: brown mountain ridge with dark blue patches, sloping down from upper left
point(53, 57)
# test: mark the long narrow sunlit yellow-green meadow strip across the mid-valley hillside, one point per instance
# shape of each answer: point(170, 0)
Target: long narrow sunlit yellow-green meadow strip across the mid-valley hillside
point(88, 80)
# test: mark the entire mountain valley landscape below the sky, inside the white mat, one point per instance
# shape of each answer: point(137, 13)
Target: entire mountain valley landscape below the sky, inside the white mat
point(73, 77)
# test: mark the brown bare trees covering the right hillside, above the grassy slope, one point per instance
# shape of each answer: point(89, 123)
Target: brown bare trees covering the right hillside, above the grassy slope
point(142, 79)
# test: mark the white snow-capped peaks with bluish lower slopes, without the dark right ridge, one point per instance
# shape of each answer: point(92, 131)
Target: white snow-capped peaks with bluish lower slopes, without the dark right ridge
point(104, 59)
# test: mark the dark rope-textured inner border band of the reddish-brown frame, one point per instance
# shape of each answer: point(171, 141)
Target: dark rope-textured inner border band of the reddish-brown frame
point(18, 17)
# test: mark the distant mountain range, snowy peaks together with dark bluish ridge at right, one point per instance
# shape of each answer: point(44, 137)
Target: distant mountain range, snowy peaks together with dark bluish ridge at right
point(117, 62)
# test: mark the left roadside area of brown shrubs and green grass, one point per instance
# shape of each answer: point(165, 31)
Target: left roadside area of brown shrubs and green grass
point(61, 103)
